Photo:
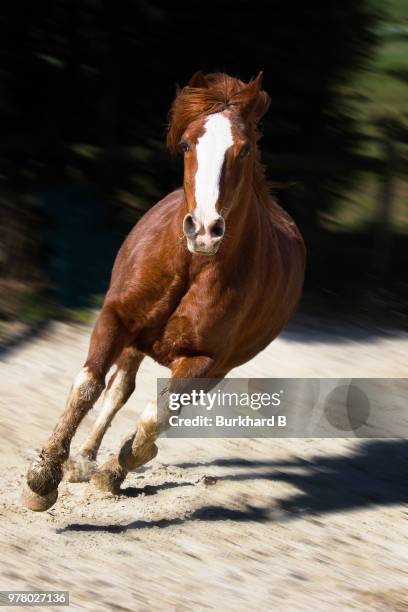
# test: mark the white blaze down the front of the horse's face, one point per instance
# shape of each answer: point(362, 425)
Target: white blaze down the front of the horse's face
point(211, 149)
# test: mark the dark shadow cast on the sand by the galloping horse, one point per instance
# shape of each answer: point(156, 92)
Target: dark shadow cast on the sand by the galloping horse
point(376, 474)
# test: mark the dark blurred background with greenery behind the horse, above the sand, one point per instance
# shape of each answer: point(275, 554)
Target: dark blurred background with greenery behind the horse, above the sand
point(85, 88)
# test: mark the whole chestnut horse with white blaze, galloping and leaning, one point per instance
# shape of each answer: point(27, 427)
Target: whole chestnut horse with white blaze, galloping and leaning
point(205, 280)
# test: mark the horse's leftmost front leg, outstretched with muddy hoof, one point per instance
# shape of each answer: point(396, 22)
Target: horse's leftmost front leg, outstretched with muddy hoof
point(44, 476)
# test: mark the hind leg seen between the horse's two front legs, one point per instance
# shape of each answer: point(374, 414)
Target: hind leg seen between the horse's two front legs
point(80, 467)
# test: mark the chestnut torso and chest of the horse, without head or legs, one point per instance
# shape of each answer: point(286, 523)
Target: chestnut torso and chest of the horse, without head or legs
point(225, 308)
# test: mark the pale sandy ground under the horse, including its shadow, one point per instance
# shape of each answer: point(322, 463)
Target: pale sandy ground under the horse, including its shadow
point(289, 524)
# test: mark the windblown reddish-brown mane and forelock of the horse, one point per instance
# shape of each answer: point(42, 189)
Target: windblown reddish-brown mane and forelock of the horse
point(222, 91)
